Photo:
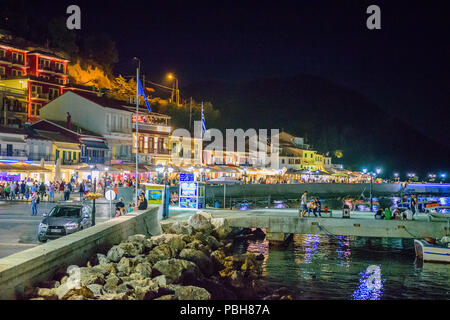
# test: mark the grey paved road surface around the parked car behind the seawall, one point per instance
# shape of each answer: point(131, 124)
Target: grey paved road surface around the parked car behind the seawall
point(18, 228)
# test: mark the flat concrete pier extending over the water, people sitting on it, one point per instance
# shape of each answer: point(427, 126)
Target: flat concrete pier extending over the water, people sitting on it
point(287, 221)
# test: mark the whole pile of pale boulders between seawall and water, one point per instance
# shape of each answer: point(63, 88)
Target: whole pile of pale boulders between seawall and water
point(191, 261)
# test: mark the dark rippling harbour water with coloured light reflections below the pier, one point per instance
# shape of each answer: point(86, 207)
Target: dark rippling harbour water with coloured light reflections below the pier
point(327, 267)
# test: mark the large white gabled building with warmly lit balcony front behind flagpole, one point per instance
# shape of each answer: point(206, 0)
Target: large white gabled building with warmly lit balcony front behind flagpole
point(113, 120)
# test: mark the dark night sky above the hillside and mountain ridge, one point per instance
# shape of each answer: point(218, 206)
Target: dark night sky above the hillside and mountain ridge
point(403, 68)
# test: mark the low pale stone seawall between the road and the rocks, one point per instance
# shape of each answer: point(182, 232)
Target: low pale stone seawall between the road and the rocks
point(21, 271)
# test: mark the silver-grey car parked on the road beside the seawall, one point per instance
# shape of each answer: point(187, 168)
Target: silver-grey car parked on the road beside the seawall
point(64, 219)
